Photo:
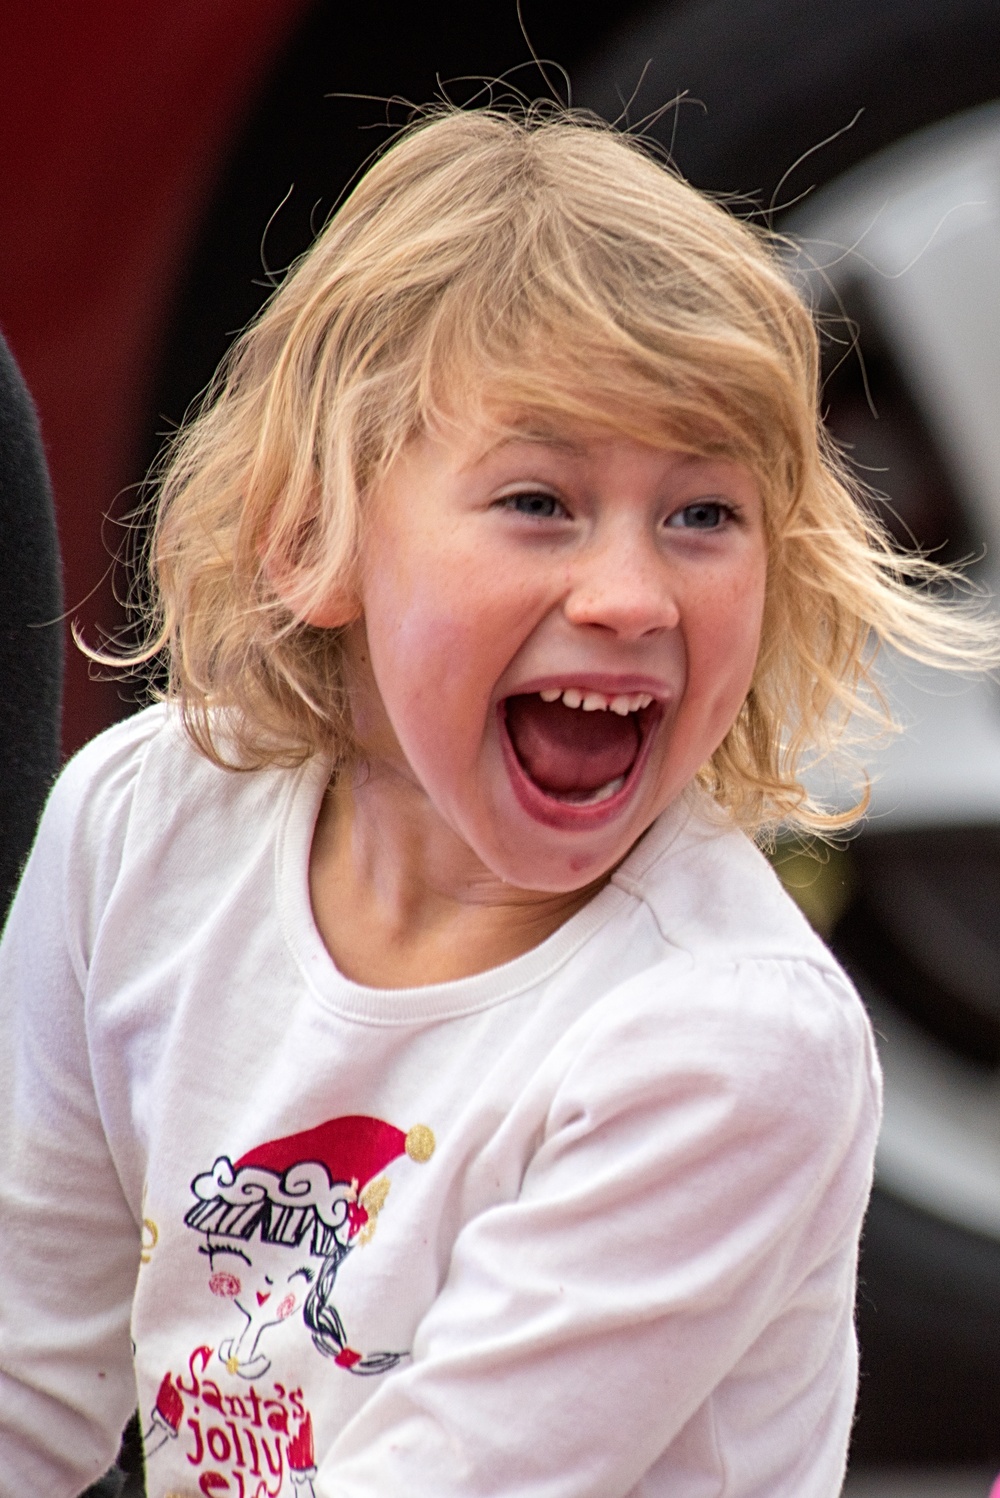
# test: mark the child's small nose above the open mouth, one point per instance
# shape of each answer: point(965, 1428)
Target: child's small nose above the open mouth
point(622, 583)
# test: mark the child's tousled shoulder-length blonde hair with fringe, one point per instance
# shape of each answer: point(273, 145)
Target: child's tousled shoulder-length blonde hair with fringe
point(534, 263)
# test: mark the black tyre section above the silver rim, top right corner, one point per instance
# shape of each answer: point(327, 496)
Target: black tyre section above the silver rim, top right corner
point(769, 80)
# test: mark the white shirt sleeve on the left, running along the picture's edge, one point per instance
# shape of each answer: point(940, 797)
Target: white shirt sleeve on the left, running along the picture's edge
point(70, 1246)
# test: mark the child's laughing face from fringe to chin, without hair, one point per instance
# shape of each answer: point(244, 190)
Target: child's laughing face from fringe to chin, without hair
point(501, 574)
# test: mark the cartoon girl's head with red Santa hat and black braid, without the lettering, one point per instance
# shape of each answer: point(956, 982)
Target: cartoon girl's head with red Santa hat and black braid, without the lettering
point(284, 1207)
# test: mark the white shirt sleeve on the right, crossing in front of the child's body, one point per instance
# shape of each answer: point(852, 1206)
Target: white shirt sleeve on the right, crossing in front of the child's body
point(692, 1213)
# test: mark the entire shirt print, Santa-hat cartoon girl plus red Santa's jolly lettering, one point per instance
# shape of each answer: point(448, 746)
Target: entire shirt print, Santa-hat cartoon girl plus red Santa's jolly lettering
point(278, 1226)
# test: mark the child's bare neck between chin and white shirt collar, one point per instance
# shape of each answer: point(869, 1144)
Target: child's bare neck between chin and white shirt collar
point(402, 901)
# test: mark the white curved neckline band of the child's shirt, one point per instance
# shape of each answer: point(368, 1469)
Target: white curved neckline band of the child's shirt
point(457, 997)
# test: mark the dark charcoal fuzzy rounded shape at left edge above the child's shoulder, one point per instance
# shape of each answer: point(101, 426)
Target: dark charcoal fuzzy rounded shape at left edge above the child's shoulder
point(31, 628)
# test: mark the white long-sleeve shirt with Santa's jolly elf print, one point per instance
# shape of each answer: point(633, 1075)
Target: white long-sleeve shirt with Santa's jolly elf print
point(583, 1226)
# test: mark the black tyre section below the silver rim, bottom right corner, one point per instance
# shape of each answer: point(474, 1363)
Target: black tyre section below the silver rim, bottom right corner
point(929, 1320)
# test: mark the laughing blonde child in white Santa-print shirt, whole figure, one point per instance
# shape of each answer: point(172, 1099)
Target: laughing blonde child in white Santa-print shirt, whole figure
point(417, 1084)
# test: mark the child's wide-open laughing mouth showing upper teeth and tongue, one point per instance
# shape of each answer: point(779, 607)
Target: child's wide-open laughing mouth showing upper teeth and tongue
point(577, 747)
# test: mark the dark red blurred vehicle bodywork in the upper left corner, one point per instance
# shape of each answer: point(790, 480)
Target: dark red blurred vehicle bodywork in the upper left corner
point(115, 127)
